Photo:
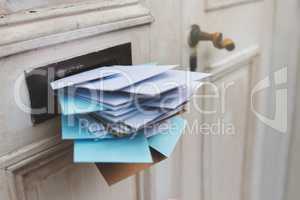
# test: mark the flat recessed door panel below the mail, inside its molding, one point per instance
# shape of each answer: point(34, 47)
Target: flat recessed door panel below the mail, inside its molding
point(75, 182)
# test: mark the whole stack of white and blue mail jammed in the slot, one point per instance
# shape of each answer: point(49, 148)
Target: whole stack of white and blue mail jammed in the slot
point(124, 114)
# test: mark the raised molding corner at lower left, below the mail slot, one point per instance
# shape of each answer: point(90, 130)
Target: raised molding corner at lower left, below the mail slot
point(46, 156)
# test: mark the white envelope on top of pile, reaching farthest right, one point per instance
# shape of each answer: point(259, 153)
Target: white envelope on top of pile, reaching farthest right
point(164, 82)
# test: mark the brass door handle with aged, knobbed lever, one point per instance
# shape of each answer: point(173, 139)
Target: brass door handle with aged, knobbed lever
point(197, 35)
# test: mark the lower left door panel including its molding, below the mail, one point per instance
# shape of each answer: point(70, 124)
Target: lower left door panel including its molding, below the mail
point(51, 174)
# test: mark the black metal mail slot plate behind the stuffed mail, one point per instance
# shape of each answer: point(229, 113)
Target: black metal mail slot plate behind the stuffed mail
point(42, 99)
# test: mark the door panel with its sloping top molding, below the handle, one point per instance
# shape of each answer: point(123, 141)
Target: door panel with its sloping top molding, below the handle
point(230, 156)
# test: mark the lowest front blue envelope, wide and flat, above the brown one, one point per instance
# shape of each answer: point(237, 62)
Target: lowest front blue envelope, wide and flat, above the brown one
point(117, 150)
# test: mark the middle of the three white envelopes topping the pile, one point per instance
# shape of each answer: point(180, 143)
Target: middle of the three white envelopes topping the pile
point(128, 75)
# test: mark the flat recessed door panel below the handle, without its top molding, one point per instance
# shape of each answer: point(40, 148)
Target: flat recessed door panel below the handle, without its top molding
point(225, 143)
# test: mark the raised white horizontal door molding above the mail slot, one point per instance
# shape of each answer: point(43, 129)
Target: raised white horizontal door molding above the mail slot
point(37, 28)
